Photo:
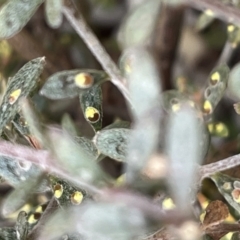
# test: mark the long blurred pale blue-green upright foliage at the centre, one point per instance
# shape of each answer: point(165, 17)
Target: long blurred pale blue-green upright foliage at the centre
point(145, 92)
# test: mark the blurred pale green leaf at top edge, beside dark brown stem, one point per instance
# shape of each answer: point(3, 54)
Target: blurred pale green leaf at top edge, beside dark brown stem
point(139, 24)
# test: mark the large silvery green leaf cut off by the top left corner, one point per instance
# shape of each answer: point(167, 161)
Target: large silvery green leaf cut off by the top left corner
point(15, 14)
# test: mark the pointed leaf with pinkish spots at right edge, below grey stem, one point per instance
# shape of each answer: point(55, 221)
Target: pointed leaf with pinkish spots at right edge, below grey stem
point(225, 186)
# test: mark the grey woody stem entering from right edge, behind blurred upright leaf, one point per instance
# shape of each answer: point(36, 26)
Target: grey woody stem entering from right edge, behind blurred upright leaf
point(225, 164)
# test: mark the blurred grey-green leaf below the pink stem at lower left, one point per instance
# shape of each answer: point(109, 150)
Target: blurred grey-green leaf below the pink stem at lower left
point(19, 196)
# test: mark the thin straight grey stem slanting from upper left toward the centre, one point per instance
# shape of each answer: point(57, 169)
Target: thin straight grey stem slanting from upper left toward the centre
point(80, 26)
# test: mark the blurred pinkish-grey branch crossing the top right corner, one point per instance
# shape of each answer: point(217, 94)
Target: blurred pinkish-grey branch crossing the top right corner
point(222, 11)
